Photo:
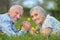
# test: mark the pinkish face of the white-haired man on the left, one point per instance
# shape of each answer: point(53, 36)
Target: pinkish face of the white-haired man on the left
point(16, 14)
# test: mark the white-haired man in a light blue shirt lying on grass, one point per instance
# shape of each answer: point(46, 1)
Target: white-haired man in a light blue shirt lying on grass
point(8, 19)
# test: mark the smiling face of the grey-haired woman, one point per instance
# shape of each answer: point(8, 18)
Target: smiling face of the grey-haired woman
point(37, 16)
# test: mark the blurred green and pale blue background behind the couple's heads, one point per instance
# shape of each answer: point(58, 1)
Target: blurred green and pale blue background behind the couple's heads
point(51, 6)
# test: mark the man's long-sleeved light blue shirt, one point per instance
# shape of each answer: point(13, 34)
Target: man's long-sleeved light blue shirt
point(7, 26)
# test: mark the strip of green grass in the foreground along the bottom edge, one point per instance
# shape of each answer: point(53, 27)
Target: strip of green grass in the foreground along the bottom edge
point(28, 36)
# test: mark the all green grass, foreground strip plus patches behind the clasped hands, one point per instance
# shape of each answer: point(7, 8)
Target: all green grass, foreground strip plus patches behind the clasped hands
point(28, 36)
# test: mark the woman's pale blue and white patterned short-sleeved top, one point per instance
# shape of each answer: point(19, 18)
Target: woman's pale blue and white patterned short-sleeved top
point(53, 23)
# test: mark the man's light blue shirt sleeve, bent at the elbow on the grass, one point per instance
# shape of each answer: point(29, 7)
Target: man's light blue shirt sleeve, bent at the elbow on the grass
point(8, 31)
